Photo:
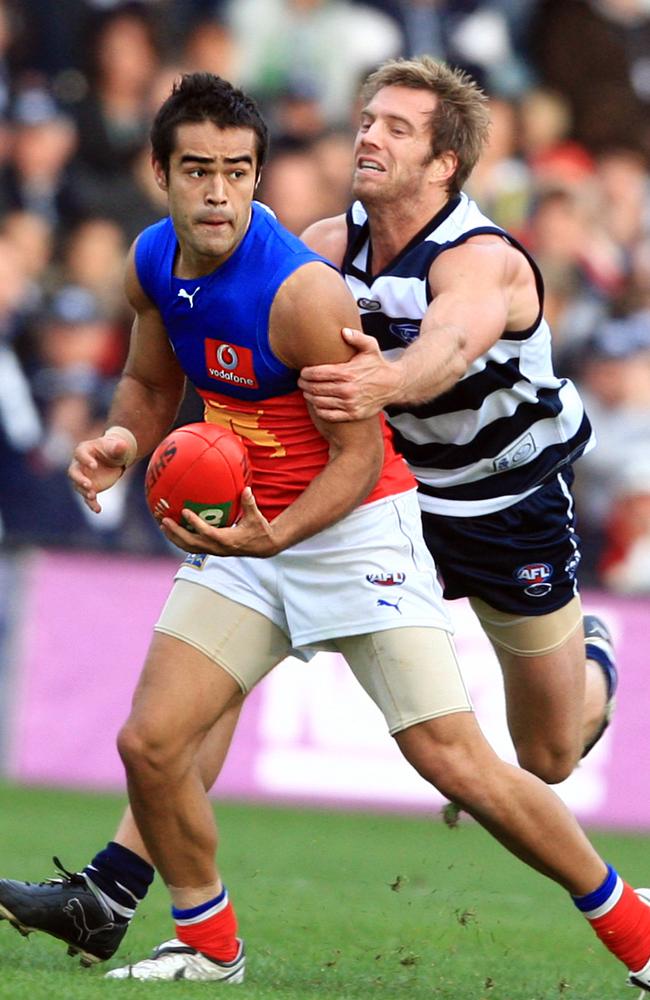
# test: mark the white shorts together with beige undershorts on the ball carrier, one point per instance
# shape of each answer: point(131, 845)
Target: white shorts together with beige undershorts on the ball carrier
point(365, 587)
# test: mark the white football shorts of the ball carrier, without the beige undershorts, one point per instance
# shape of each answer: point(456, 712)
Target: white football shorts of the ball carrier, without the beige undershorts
point(369, 572)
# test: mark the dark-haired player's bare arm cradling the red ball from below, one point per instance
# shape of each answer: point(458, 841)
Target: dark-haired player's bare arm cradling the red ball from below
point(307, 316)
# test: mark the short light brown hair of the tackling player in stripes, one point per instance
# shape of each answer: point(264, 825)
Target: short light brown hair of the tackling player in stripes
point(460, 122)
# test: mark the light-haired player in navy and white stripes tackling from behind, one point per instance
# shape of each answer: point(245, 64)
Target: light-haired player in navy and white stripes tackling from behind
point(457, 352)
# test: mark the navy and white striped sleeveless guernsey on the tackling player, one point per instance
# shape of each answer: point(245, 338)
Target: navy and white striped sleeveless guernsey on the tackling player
point(510, 423)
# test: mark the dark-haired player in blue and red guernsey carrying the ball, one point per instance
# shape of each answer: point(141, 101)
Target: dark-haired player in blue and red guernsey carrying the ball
point(275, 308)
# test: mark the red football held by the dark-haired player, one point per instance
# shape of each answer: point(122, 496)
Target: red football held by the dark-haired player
point(199, 467)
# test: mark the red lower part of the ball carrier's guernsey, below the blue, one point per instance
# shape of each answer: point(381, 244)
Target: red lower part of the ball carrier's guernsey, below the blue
point(287, 451)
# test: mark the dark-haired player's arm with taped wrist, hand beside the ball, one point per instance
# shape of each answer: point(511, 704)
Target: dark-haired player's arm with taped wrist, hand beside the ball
point(144, 405)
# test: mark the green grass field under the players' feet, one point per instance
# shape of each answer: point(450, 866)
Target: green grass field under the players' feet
point(332, 905)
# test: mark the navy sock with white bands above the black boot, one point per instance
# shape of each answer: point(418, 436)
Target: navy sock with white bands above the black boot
point(120, 878)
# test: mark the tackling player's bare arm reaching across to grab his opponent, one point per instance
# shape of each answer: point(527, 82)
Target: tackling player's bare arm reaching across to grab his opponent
point(473, 287)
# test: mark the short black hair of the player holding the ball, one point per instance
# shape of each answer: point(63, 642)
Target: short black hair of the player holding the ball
point(199, 97)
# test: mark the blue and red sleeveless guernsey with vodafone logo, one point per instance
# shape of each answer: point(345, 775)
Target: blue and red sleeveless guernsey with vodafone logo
point(218, 325)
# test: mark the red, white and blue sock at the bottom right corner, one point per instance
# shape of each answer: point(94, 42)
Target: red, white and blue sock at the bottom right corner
point(620, 919)
